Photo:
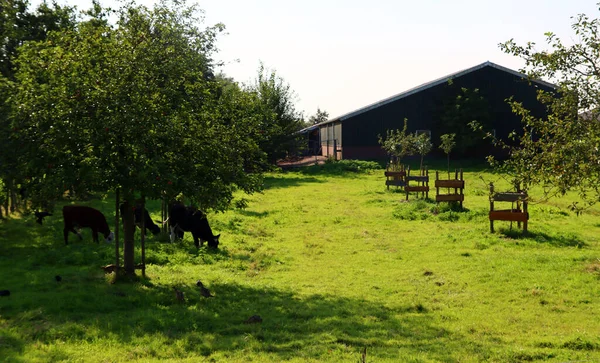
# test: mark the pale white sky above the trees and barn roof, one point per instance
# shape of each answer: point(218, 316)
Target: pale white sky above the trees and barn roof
point(343, 55)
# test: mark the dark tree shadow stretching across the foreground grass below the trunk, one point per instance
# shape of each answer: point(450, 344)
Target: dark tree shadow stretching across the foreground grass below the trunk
point(203, 326)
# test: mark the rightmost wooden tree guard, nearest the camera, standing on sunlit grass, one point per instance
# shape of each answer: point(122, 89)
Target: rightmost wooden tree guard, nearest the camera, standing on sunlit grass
point(518, 214)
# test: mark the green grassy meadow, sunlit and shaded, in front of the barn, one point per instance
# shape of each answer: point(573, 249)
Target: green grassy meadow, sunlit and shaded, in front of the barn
point(334, 263)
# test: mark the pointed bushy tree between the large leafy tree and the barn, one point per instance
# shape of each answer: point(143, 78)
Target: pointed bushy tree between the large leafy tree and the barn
point(280, 120)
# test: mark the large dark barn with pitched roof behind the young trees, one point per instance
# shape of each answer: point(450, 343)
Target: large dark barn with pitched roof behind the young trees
point(446, 105)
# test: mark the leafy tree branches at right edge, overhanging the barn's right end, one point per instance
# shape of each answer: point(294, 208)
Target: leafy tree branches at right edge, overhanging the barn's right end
point(560, 151)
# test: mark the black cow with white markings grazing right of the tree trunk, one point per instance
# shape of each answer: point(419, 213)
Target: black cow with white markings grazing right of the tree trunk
point(188, 219)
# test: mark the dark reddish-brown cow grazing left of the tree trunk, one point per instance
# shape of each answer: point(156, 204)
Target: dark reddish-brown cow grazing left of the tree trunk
point(77, 216)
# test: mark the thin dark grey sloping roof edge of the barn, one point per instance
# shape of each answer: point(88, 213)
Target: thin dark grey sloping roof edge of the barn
point(424, 87)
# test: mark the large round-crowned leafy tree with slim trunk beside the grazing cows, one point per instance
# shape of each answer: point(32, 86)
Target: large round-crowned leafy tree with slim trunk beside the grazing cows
point(134, 107)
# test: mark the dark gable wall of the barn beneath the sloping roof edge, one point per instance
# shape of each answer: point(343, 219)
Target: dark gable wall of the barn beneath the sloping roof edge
point(423, 110)
